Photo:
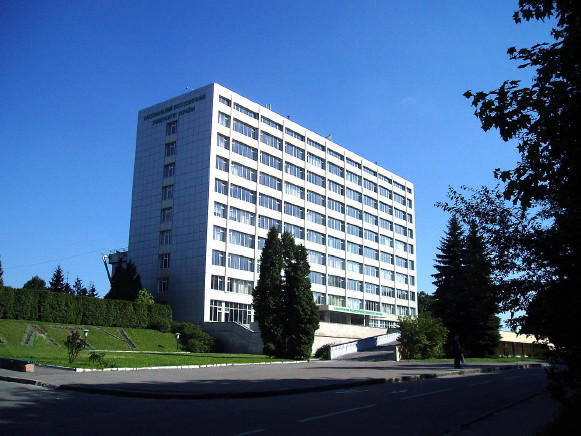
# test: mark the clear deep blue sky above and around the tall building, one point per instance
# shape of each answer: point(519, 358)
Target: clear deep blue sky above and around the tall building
point(385, 78)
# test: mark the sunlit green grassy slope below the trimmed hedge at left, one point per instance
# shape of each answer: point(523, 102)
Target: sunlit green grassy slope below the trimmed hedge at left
point(43, 343)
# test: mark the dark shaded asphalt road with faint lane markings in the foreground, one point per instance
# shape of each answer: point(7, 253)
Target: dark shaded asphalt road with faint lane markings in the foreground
point(466, 405)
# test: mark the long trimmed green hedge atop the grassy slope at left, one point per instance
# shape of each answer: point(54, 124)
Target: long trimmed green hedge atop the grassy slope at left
point(28, 304)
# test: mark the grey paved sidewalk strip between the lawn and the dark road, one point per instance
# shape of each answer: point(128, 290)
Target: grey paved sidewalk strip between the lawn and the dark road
point(243, 381)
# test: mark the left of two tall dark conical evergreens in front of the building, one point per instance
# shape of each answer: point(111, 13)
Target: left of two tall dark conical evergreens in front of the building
point(268, 293)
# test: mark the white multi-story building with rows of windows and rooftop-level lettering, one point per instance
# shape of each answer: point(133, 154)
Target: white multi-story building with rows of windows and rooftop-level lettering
point(214, 171)
